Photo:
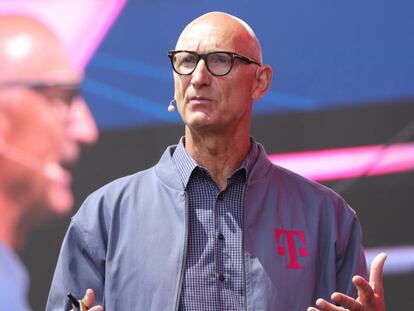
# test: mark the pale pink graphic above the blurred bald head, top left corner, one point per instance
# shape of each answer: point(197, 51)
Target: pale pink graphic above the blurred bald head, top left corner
point(81, 25)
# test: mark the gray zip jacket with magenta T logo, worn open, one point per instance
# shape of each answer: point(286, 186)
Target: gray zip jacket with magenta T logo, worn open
point(301, 241)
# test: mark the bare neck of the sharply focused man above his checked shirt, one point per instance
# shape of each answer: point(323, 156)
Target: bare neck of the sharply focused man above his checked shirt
point(220, 154)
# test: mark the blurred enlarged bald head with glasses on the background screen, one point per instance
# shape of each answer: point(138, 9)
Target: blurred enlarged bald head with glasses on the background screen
point(48, 126)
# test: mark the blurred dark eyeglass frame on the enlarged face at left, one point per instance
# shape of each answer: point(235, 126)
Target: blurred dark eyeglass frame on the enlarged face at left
point(73, 90)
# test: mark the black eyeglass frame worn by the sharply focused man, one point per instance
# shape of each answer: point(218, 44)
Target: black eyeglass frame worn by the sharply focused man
point(204, 56)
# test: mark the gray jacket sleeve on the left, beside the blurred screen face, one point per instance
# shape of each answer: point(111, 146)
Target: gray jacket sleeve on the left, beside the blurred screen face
point(81, 262)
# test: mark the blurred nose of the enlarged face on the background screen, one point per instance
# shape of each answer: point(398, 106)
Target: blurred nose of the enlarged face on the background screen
point(81, 126)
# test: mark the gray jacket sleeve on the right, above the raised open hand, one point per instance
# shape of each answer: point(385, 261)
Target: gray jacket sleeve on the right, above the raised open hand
point(350, 257)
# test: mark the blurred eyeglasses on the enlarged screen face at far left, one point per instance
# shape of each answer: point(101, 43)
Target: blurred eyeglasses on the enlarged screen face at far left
point(66, 92)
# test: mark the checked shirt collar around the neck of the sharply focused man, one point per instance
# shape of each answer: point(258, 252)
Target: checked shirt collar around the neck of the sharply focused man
point(185, 164)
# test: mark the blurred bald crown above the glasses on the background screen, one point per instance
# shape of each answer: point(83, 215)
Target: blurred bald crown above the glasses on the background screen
point(30, 51)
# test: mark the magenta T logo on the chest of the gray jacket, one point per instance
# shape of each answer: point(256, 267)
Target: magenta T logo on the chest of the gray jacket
point(291, 236)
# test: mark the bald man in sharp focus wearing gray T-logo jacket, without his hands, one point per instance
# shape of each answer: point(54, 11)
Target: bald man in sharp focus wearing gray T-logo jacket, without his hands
point(214, 225)
